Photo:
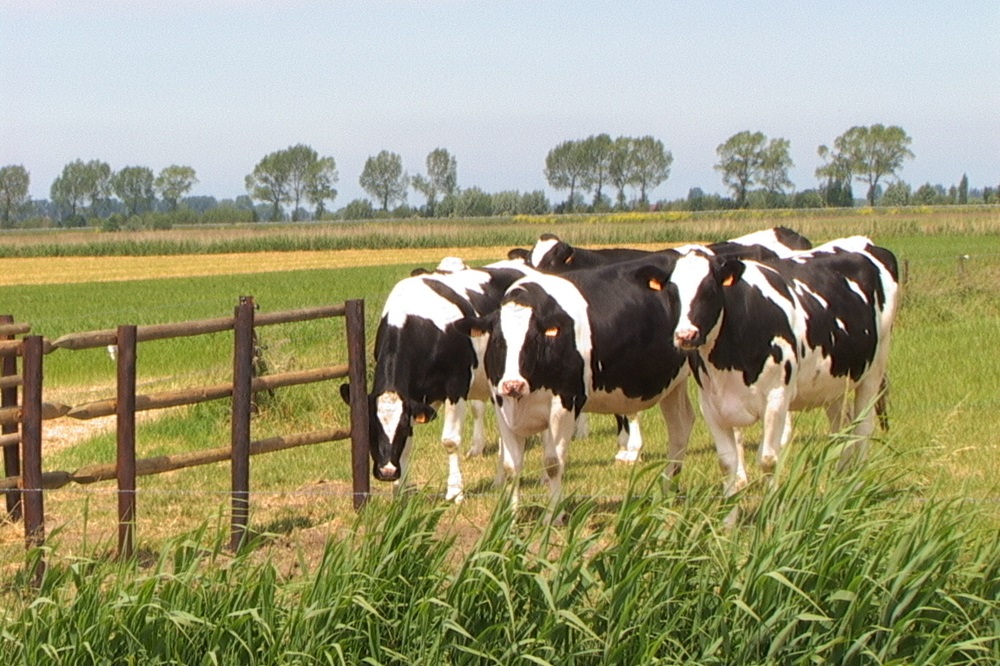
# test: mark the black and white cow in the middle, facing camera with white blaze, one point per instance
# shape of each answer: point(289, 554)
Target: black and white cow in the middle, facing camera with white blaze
point(582, 342)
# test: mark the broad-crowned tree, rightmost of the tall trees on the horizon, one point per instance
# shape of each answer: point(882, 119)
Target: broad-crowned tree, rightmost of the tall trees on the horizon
point(873, 153)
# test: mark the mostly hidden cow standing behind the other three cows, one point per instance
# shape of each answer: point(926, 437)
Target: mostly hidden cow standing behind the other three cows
point(555, 256)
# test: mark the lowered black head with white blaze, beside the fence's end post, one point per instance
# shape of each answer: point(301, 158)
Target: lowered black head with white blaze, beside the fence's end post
point(390, 426)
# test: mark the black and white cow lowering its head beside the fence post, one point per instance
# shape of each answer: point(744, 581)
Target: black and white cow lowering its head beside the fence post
point(421, 362)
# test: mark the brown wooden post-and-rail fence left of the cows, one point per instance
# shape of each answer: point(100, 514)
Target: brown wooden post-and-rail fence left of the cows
point(25, 481)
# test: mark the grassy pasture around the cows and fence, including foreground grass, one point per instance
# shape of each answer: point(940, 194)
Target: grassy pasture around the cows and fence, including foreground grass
point(932, 489)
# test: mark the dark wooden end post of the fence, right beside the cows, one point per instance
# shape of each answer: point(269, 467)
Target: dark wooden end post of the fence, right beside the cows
point(357, 374)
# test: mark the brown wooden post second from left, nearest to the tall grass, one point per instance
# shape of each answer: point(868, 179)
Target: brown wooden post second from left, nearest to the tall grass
point(31, 448)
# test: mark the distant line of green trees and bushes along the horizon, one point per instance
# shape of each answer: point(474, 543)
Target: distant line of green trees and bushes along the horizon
point(598, 173)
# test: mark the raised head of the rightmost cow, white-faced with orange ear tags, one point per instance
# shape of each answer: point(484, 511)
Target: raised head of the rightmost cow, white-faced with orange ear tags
point(696, 282)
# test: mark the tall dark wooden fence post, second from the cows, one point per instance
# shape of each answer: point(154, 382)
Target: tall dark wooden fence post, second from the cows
point(243, 351)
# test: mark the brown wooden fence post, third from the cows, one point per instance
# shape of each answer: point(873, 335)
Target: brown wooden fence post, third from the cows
point(125, 465)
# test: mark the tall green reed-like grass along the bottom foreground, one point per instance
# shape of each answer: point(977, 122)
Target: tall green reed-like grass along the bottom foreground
point(828, 568)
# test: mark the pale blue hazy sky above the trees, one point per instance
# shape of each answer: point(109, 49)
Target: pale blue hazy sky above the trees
point(217, 84)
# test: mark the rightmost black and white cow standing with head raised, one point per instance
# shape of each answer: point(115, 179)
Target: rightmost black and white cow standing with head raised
point(783, 335)
